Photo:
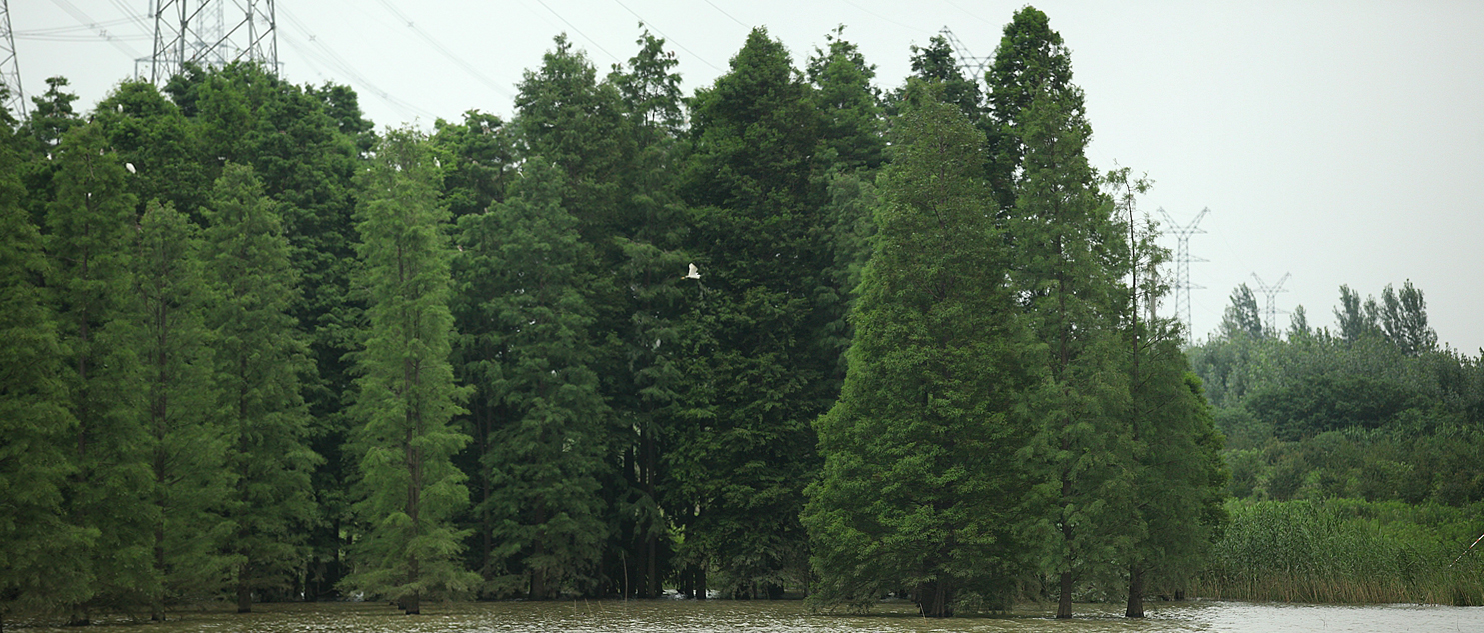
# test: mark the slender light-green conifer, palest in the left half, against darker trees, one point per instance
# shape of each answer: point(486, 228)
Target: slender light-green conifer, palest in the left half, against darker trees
point(410, 491)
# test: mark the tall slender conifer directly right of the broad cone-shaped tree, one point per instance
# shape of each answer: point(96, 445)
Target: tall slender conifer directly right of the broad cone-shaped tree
point(1071, 263)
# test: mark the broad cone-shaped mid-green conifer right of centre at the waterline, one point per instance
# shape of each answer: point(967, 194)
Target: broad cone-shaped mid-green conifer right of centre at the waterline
point(921, 483)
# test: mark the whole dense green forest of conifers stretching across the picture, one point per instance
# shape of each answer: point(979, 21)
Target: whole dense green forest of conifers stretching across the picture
point(790, 336)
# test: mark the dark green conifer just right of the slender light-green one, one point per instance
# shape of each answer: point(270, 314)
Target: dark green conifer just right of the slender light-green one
point(525, 284)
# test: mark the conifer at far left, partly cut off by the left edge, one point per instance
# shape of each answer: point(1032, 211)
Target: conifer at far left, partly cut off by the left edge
point(36, 426)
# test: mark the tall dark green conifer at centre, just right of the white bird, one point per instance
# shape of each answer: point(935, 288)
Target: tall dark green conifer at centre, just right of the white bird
point(741, 466)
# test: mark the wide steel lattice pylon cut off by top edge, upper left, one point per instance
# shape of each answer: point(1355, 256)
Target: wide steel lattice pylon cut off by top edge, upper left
point(211, 33)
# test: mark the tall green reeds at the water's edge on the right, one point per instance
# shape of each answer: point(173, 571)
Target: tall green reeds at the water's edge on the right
point(1344, 551)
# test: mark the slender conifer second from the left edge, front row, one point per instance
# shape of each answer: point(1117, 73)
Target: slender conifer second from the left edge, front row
point(90, 229)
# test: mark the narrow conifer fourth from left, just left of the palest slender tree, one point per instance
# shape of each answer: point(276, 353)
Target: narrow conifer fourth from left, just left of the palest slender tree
point(262, 364)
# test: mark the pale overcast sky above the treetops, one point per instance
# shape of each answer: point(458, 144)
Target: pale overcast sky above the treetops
point(1333, 142)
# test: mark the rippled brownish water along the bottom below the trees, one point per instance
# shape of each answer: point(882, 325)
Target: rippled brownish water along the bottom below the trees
point(793, 617)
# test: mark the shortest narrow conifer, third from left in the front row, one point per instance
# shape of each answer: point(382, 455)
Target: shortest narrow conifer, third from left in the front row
point(191, 484)
